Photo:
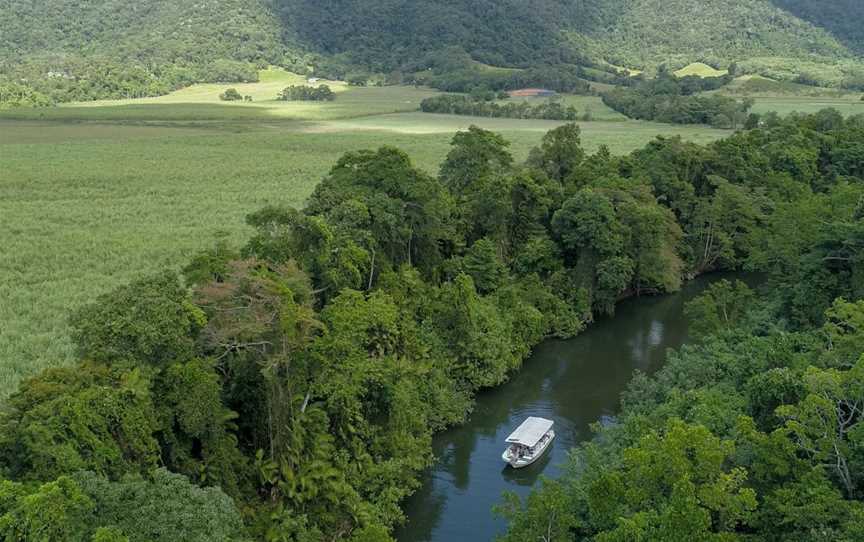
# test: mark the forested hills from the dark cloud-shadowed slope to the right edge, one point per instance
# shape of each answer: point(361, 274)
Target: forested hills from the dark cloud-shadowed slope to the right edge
point(633, 33)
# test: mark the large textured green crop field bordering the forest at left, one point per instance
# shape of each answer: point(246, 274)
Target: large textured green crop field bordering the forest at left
point(83, 216)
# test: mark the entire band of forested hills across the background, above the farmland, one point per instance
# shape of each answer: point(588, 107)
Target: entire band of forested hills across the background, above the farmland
point(73, 49)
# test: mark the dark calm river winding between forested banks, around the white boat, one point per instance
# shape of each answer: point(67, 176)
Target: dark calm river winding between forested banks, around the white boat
point(575, 383)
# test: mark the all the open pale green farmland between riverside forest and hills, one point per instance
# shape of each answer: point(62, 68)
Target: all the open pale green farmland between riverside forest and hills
point(96, 194)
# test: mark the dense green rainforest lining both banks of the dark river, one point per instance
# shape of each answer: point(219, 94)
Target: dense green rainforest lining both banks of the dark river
point(287, 390)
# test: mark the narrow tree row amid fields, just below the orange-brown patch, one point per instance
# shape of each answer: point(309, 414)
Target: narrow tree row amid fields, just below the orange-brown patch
point(456, 104)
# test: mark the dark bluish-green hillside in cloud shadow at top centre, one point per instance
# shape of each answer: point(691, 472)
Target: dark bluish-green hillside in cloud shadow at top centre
point(386, 34)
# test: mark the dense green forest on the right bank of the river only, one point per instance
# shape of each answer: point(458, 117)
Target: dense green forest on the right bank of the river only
point(756, 431)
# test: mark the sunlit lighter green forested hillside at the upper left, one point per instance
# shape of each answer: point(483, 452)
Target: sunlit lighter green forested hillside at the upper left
point(71, 50)
